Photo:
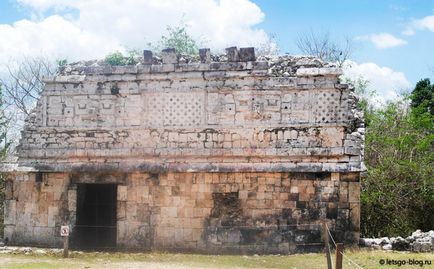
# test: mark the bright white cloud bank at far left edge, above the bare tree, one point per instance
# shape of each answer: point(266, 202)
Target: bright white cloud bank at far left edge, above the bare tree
point(52, 36)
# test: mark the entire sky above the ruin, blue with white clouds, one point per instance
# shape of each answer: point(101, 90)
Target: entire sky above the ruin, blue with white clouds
point(393, 40)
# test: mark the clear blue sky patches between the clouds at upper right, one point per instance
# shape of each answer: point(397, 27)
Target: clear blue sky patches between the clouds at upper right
point(355, 18)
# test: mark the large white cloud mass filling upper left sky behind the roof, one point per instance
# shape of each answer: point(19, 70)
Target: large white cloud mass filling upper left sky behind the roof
point(92, 28)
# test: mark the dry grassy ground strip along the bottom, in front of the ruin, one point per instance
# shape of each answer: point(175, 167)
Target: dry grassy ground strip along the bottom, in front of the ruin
point(154, 260)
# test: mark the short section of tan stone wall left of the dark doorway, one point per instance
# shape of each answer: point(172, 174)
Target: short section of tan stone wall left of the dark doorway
point(34, 211)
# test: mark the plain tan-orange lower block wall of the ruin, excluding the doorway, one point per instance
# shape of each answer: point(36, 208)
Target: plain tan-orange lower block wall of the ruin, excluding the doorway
point(206, 212)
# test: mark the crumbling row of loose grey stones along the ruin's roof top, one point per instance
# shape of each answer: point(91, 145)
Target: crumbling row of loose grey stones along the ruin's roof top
point(234, 60)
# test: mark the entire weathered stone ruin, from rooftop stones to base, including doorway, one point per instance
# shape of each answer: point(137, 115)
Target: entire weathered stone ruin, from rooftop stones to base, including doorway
point(228, 153)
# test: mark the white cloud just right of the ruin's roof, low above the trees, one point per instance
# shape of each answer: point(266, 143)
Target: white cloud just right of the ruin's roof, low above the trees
point(386, 82)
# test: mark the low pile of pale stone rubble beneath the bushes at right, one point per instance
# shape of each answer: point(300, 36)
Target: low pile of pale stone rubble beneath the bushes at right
point(416, 242)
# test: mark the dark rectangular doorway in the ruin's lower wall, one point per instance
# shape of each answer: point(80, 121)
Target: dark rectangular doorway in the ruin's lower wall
point(96, 216)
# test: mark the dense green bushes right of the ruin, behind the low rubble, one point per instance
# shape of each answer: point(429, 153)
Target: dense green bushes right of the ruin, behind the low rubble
point(398, 191)
